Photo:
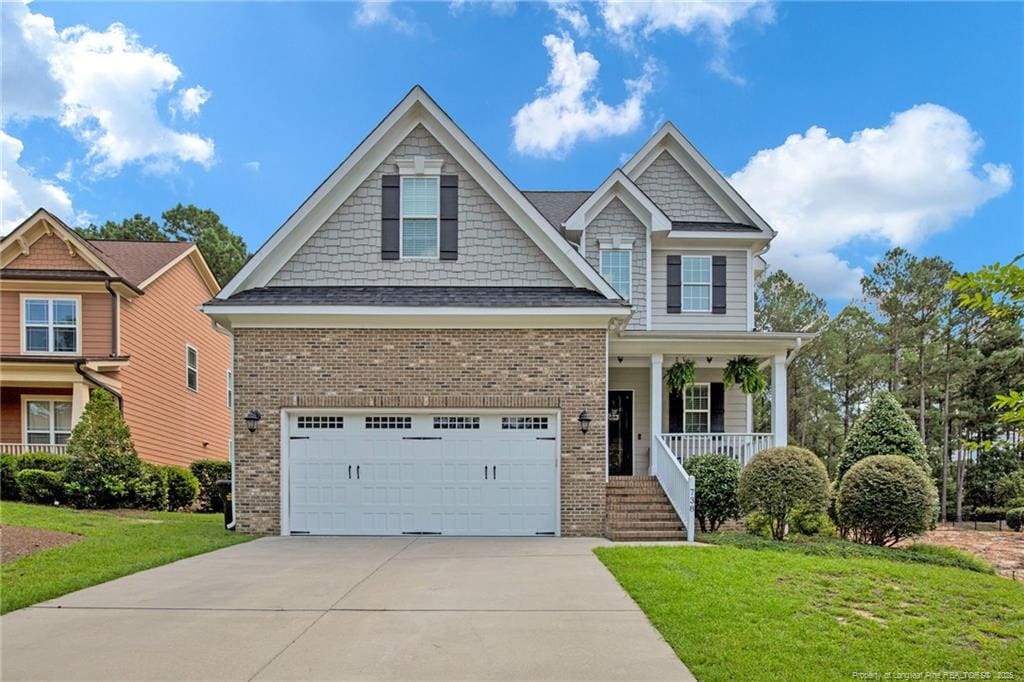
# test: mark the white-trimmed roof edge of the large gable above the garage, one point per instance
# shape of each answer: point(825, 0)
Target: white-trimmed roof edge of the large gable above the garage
point(417, 108)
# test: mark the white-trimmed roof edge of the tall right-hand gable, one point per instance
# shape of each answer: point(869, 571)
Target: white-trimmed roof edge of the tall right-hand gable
point(670, 139)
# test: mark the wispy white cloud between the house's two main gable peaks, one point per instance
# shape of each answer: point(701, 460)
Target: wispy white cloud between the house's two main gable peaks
point(568, 109)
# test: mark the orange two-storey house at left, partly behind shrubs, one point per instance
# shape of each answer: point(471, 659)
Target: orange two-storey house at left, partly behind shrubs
point(124, 316)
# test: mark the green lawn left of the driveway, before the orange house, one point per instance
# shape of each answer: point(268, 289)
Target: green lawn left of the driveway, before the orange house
point(115, 545)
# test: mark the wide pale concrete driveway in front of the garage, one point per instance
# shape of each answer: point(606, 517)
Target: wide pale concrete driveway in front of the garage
point(351, 609)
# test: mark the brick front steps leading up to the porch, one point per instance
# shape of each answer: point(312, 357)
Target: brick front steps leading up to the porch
point(638, 509)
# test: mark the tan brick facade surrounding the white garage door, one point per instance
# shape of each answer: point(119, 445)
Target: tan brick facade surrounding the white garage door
point(361, 368)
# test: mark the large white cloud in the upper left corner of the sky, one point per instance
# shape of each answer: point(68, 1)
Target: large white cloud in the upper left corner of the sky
point(102, 87)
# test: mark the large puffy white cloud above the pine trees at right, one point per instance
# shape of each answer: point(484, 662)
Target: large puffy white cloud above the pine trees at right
point(895, 186)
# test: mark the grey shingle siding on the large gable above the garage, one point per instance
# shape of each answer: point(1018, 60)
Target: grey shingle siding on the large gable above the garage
point(493, 249)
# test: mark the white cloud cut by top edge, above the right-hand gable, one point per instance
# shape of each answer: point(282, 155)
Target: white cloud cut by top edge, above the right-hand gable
point(628, 20)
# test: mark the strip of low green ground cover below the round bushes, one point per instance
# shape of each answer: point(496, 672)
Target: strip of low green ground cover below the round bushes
point(834, 547)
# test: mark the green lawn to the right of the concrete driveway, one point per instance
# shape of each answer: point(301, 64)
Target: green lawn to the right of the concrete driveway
point(735, 614)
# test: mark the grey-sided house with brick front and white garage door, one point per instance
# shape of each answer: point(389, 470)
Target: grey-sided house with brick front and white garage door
point(434, 351)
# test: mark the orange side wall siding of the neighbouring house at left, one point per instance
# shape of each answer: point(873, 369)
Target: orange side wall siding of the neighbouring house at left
point(170, 423)
